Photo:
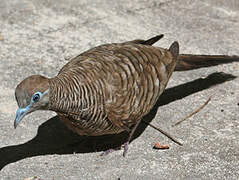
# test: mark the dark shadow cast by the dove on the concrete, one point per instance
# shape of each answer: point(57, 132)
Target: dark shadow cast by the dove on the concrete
point(54, 138)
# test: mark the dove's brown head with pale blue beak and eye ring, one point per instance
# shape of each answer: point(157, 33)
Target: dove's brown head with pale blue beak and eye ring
point(31, 94)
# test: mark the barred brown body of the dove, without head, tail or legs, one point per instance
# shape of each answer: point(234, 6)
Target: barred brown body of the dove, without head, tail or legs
point(107, 89)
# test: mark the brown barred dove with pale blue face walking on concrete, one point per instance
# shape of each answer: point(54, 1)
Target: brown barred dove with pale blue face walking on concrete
point(108, 89)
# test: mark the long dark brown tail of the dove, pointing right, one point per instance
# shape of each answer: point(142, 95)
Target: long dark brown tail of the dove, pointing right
point(189, 61)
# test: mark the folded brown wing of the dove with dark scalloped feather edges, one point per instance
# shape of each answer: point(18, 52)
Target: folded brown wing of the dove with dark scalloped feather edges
point(139, 75)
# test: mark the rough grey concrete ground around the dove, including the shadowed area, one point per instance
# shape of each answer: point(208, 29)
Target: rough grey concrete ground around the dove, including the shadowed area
point(39, 36)
